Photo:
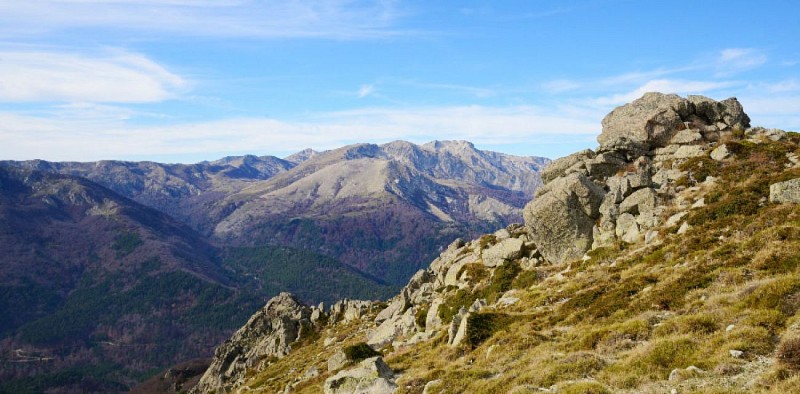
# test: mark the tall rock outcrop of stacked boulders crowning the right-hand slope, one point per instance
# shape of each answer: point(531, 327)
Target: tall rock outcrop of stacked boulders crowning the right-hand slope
point(593, 199)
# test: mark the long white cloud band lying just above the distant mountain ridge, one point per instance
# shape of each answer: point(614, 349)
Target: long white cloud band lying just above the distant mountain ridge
point(29, 137)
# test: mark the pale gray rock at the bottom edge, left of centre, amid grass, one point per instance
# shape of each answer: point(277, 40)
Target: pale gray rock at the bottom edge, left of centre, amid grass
point(371, 376)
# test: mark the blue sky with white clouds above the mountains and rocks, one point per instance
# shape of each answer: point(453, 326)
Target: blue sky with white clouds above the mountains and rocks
point(192, 80)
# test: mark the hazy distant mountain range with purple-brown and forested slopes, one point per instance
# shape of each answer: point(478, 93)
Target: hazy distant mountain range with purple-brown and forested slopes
point(135, 266)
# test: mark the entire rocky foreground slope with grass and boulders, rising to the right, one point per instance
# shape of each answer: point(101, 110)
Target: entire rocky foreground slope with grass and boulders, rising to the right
point(677, 271)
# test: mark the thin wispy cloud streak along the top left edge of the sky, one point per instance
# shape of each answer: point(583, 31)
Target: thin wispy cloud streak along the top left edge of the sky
point(337, 19)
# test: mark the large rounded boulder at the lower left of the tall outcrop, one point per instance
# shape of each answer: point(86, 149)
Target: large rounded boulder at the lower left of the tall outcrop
point(561, 219)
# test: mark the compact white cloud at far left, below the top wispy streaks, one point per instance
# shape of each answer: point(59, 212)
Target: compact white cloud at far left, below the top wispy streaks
point(112, 77)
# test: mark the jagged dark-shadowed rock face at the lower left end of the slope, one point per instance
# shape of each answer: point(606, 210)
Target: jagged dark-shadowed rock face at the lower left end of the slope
point(269, 333)
